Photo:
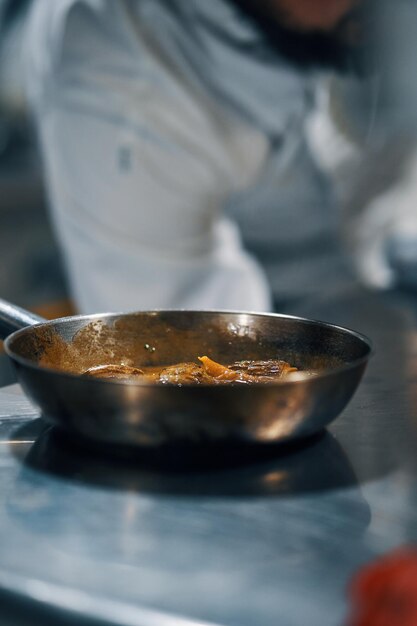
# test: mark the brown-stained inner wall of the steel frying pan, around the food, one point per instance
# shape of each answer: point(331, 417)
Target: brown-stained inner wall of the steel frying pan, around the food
point(165, 338)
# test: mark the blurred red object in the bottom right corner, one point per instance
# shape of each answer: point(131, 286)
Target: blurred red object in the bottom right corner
point(384, 593)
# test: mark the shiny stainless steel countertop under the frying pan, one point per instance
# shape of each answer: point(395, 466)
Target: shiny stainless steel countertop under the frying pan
point(261, 540)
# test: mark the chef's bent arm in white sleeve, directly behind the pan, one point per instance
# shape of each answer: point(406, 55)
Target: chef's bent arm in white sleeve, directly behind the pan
point(138, 169)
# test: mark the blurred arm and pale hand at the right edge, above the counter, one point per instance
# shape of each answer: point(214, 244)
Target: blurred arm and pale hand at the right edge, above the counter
point(374, 168)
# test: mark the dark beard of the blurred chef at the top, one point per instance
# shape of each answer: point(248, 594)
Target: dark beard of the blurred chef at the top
point(316, 50)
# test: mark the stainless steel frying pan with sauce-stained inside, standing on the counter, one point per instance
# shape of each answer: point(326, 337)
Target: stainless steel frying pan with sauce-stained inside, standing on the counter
point(50, 356)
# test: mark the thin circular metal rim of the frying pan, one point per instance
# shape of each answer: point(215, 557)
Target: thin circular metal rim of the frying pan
point(28, 363)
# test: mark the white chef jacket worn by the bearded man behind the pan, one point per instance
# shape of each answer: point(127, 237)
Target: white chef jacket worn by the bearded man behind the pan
point(164, 123)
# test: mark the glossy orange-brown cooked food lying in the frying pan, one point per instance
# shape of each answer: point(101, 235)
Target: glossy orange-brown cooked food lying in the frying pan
point(207, 372)
